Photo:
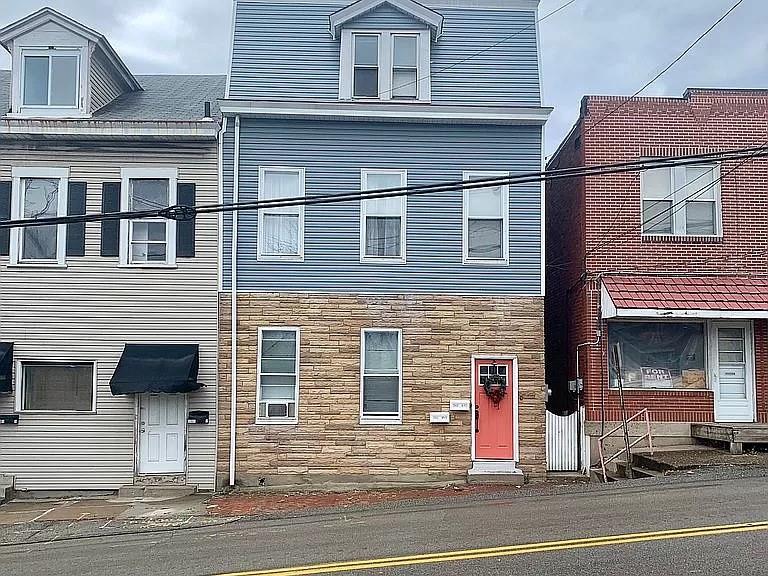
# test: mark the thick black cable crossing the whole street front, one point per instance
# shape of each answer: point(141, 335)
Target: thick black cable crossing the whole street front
point(182, 213)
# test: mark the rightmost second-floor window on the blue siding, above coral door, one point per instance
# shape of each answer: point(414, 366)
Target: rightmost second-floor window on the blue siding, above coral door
point(486, 221)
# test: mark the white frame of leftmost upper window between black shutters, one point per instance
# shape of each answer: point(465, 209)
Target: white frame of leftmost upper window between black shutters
point(18, 175)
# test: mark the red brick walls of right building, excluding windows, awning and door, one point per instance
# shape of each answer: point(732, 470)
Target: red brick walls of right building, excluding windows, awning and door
point(702, 121)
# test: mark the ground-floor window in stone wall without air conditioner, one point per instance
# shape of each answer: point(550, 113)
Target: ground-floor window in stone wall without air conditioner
point(381, 376)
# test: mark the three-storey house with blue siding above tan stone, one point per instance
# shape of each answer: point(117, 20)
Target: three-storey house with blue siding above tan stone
point(394, 339)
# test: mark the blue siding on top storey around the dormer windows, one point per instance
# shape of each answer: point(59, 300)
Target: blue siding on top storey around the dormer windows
point(285, 52)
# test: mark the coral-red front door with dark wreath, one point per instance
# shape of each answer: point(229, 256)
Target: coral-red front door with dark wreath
point(494, 421)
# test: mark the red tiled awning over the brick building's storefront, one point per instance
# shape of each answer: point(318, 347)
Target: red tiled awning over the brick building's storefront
point(685, 297)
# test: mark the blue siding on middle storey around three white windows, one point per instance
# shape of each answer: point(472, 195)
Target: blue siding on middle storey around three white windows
point(333, 153)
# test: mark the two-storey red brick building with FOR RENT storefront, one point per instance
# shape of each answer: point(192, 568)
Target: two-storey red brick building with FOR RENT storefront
point(671, 263)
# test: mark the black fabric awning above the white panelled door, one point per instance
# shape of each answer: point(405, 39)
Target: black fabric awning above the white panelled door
point(168, 368)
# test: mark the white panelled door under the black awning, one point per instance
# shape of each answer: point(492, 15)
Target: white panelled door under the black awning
point(162, 430)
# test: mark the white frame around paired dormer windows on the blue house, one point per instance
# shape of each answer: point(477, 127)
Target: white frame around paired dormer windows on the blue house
point(386, 72)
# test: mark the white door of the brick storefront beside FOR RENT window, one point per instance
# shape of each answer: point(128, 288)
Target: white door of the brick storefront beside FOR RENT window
point(733, 372)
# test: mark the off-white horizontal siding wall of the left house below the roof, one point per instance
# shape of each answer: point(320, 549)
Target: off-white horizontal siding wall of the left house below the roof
point(89, 310)
